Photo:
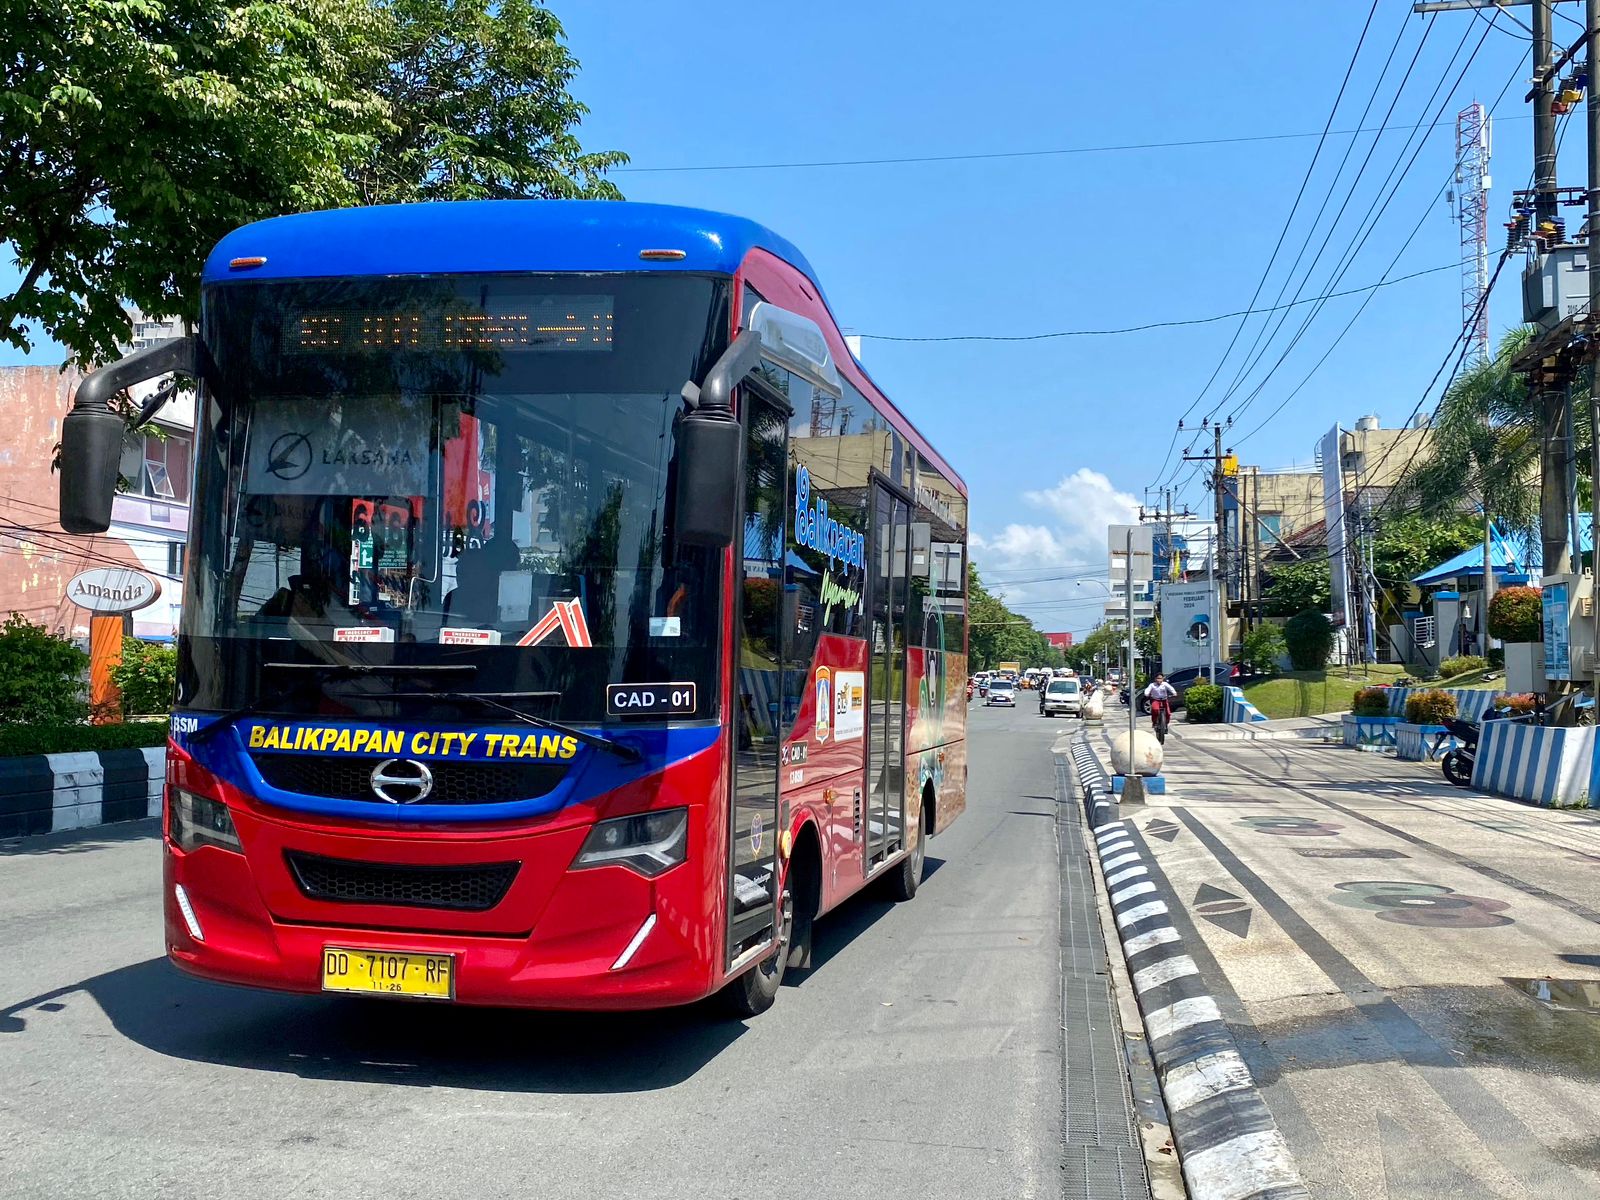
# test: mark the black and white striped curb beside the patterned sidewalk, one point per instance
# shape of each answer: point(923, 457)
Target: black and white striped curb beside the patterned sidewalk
point(1228, 1142)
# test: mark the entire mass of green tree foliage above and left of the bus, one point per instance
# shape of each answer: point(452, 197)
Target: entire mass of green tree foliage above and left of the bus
point(135, 134)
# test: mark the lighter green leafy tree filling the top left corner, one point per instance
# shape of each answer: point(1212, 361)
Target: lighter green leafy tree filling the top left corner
point(138, 132)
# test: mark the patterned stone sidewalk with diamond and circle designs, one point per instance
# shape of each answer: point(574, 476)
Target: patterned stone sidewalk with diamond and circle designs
point(1412, 970)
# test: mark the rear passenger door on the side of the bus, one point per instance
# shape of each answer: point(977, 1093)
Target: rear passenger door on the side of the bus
point(889, 553)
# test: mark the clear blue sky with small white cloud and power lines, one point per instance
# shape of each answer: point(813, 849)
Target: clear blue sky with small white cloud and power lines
point(1058, 438)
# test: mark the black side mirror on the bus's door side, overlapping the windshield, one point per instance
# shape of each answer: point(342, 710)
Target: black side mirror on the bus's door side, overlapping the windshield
point(710, 450)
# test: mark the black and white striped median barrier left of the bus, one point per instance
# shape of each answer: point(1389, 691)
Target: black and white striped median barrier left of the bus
point(52, 793)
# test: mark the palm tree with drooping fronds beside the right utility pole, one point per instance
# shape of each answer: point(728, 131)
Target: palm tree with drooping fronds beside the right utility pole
point(1486, 446)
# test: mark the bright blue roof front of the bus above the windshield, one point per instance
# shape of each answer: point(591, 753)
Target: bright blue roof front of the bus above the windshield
point(494, 236)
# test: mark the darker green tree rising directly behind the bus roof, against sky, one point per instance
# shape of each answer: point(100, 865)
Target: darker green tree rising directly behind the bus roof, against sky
point(478, 103)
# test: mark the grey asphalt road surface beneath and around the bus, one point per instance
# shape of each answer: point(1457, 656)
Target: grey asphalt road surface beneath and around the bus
point(919, 1058)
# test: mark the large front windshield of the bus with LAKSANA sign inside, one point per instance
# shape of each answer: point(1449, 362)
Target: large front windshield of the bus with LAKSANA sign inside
point(463, 471)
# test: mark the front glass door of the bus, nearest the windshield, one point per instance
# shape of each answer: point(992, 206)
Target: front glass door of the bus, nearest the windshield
point(759, 692)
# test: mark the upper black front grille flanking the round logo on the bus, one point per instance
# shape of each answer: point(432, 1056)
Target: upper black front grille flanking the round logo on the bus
point(455, 783)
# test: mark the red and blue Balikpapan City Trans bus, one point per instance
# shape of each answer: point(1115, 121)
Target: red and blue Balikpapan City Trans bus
point(569, 620)
